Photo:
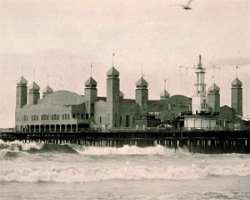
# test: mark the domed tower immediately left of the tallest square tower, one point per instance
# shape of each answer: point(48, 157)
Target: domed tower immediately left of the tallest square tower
point(90, 95)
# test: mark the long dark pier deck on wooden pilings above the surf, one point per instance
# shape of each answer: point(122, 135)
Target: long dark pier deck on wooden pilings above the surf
point(198, 141)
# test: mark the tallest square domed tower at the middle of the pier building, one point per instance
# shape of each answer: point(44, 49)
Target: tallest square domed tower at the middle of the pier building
point(113, 96)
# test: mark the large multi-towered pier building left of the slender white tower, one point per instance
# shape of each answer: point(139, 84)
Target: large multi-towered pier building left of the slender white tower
point(61, 111)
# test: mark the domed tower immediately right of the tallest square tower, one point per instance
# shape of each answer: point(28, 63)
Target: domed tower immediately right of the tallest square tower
point(141, 93)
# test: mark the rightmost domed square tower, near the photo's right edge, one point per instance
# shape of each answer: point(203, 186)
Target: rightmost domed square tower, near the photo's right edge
point(236, 96)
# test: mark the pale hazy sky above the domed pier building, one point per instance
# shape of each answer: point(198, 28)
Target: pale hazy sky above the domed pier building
point(55, 41)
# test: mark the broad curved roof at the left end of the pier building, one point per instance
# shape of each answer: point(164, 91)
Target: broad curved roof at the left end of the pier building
point(63, 97)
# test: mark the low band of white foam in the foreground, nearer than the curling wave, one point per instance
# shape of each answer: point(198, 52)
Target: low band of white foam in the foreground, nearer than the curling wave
point(81, 174)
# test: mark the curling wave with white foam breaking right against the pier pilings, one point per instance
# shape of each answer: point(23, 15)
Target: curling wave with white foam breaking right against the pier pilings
point(33, 147)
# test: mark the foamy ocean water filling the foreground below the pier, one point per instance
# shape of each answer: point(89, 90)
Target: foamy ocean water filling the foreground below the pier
point(52, 171)
